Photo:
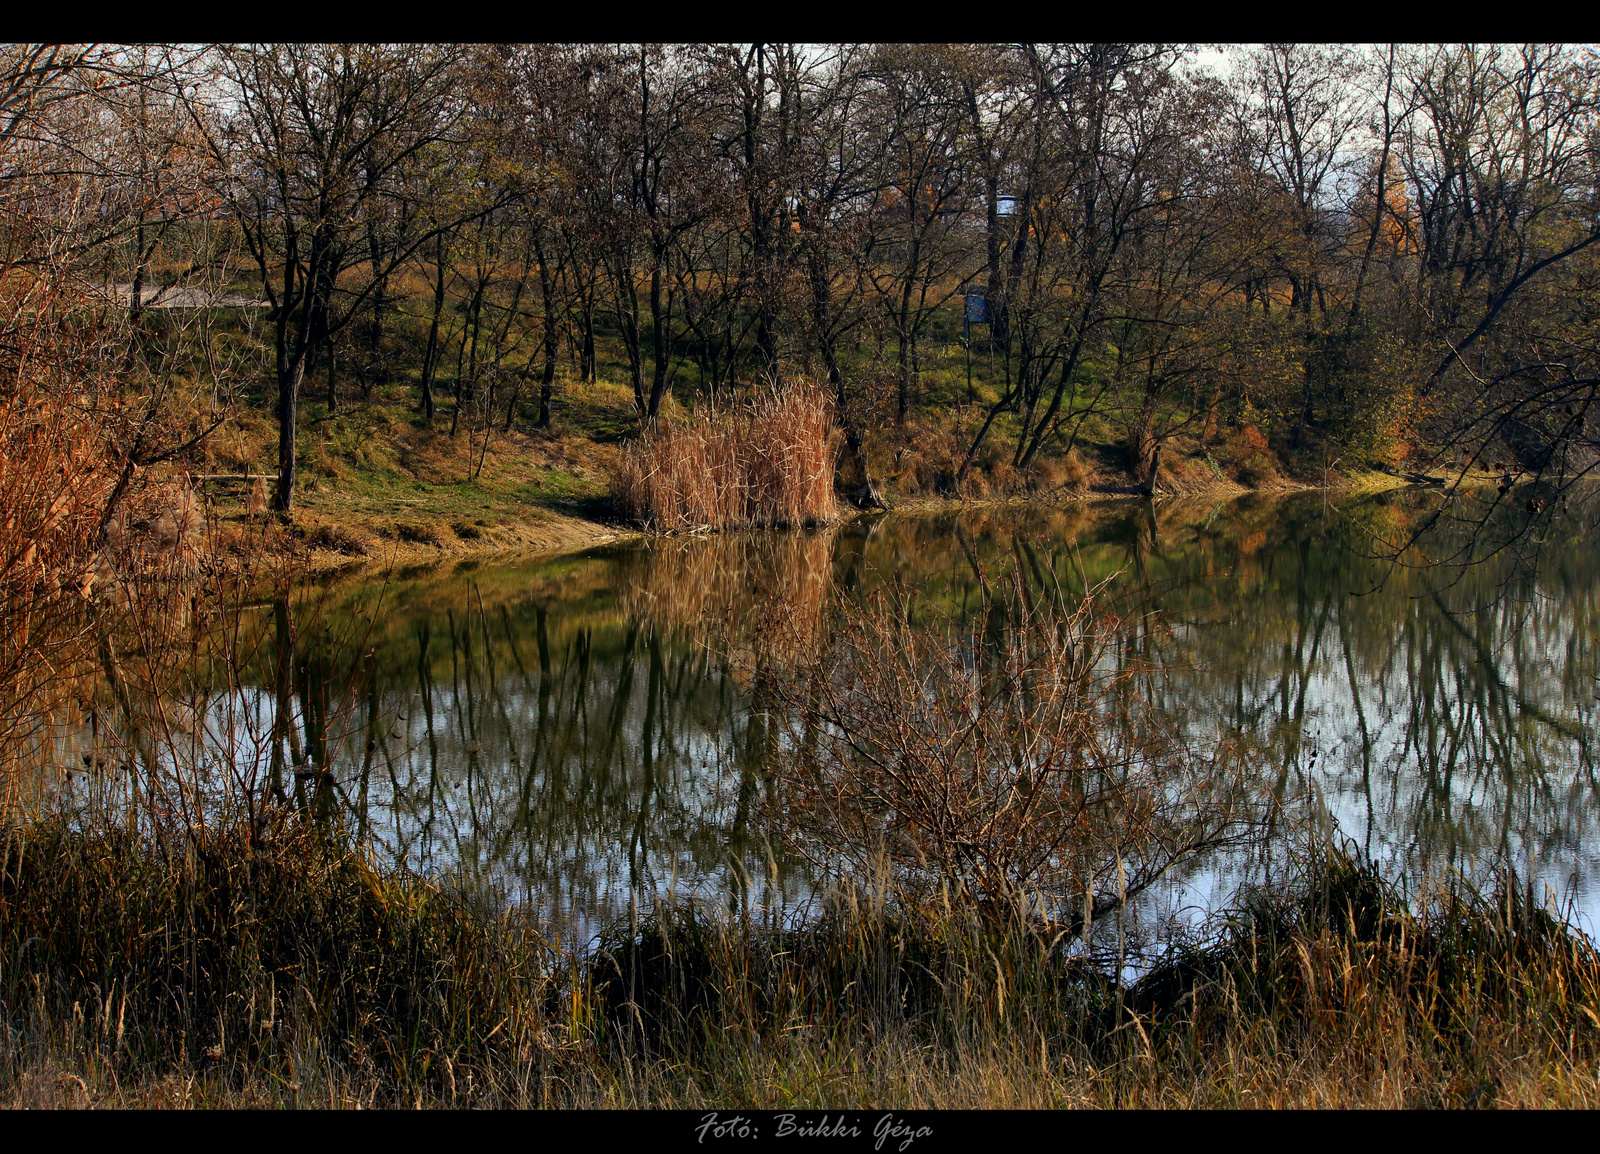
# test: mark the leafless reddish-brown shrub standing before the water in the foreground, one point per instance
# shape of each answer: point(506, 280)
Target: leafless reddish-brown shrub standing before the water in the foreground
point(1009, 759)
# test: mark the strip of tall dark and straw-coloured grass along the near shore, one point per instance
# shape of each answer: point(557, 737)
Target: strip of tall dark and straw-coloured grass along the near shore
point(274, 966)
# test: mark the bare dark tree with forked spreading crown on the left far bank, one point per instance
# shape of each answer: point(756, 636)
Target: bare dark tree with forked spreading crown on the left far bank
point(318, 145)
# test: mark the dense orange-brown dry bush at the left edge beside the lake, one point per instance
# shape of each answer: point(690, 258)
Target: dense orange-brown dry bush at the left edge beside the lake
point(89, 529)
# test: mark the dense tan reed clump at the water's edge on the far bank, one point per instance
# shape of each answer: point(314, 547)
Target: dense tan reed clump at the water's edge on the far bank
point(761, 465)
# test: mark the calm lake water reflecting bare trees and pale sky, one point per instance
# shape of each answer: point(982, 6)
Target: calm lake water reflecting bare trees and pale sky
point(566, 731)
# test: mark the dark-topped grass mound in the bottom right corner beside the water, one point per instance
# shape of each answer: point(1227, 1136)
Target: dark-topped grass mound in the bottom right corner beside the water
point(1463, 1000)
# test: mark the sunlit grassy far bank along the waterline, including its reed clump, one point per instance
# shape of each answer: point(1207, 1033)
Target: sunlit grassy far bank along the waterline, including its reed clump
point(382, 487)
